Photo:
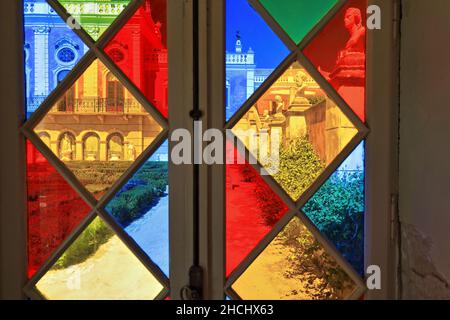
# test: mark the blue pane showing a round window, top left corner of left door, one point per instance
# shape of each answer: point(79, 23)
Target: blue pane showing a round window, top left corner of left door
point(52, 49)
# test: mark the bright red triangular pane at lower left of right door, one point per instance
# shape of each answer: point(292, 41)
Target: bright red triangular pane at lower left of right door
point(252, 210)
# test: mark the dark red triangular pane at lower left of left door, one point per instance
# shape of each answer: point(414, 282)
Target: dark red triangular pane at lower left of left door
point(54, 209)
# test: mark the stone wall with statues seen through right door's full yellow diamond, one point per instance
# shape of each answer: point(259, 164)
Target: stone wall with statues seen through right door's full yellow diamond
point(295, 106)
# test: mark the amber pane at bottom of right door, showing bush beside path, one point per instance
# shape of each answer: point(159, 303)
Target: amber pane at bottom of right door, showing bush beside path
point(294, 266)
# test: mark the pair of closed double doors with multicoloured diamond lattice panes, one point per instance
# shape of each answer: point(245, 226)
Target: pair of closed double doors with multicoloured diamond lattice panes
point(297, 202)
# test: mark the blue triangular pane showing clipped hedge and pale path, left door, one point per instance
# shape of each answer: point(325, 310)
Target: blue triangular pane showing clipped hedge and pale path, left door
point(141, 207)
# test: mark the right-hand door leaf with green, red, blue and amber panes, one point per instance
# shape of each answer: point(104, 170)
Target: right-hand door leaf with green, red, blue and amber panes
point(307, 195)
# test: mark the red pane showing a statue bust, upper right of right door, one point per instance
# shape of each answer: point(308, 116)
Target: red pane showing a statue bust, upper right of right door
point(339, 52)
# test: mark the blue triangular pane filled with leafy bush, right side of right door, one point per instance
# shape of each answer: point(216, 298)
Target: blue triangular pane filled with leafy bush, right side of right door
point(337, 209)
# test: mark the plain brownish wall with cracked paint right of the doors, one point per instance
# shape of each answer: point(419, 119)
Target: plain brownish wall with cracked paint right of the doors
point(424, 149)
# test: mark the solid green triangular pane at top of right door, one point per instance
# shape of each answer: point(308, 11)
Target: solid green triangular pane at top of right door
point(298, 17)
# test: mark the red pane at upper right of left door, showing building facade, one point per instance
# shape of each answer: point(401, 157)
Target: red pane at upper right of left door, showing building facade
point(140, 50)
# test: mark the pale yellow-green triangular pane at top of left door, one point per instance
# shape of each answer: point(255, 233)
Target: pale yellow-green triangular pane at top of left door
point(94, 16)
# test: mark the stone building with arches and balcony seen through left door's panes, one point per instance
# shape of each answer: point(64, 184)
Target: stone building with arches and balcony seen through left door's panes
point(97, 119)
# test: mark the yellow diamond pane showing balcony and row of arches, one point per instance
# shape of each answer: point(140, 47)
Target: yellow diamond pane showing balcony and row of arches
point(98, 129)
